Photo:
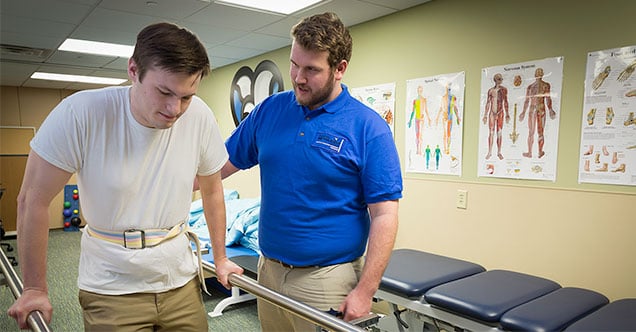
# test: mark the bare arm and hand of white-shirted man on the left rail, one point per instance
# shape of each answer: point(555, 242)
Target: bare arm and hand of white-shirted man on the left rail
point(42, 182)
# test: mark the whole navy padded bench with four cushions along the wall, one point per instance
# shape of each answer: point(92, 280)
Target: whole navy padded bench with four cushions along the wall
point(438, 290)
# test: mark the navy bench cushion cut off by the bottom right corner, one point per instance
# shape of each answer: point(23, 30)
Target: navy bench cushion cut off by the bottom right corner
point(619, 315)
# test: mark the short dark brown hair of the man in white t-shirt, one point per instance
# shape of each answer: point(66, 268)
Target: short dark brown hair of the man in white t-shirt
point(172, 48)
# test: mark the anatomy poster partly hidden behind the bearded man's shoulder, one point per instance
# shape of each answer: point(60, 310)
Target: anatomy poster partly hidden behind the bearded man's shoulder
point(381, 98)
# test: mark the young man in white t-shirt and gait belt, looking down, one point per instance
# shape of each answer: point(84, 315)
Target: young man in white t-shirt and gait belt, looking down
point(136, 151)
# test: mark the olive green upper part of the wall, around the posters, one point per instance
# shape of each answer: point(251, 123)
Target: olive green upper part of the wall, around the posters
point(447, 36)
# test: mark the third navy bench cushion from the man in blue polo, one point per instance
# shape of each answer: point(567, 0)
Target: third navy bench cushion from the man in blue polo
point(554, 311)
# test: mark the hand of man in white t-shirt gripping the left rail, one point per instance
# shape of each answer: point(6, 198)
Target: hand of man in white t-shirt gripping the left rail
point(31, 300)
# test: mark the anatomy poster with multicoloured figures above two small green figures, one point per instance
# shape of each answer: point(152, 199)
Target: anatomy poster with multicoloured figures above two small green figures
point(434, 124)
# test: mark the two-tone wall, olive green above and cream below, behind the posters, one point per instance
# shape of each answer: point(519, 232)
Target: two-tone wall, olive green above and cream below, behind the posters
point(553, 230)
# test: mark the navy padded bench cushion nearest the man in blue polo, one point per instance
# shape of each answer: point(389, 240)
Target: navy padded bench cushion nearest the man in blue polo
point(410, 273)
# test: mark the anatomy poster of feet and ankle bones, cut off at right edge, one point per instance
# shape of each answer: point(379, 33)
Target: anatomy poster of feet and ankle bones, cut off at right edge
point(608, 134)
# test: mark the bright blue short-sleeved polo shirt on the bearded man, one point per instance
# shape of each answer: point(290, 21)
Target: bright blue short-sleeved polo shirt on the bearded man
point(319, 169)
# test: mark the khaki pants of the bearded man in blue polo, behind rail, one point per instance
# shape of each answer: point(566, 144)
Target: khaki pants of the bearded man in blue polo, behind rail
point(323, 288)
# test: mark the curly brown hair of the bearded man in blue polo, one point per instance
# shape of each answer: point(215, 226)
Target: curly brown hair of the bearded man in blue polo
point(324, 32)
